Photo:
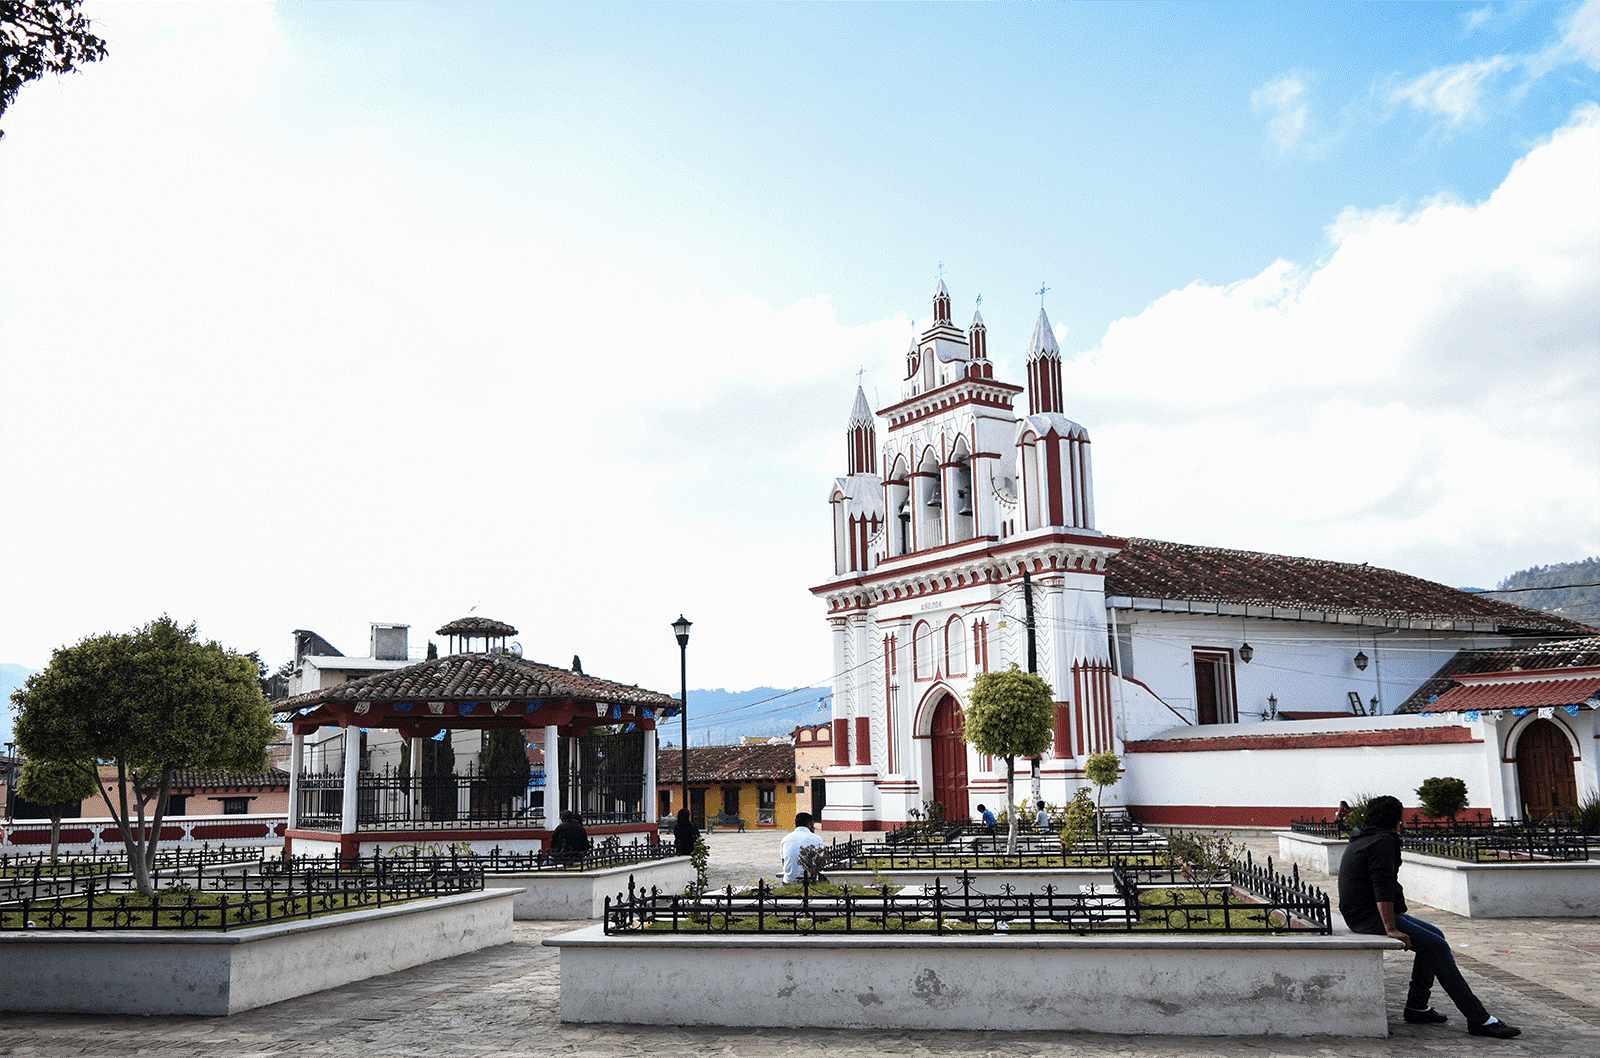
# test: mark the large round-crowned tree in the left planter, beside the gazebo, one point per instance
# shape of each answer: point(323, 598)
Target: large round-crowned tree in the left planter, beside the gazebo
point(150, 702)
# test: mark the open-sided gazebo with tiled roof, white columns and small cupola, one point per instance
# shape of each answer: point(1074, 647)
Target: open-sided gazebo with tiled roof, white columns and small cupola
point(599, 748)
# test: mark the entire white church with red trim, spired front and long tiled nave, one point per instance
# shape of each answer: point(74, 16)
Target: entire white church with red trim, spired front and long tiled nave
point(1239, 687)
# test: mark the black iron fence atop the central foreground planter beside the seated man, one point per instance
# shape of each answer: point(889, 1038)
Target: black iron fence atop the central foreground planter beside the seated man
point(961, 908)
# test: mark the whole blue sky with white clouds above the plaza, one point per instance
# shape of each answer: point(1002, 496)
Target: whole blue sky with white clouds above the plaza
point(322, 315)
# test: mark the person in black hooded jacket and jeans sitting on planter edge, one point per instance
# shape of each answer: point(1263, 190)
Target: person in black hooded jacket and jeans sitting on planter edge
point(1372, 902)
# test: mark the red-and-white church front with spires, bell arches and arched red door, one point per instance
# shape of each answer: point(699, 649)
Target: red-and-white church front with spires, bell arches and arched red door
point(934, 534)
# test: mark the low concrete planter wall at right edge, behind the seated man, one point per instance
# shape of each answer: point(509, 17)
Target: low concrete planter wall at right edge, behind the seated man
point(1511, 891)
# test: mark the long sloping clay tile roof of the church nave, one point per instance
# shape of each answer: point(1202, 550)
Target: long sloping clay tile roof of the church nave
point(1154, 569)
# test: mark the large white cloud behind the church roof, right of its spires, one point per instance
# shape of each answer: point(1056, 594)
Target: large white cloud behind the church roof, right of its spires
point(1422, 399)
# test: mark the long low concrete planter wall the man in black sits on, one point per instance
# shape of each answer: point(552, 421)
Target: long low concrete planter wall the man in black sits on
point(1150, 985)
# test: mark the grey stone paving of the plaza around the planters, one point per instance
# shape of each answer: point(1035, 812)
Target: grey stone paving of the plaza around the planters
point(1540, 974)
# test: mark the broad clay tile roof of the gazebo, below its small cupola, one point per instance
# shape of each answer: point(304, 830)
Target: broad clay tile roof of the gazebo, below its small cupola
point(479, 678)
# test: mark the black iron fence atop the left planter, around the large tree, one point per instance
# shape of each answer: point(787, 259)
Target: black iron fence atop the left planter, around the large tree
point(234, 899)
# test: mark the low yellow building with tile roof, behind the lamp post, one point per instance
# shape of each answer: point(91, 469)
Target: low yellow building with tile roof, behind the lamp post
point(753, 783)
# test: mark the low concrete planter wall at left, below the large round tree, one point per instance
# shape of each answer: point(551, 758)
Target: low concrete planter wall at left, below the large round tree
point(218, 974)
